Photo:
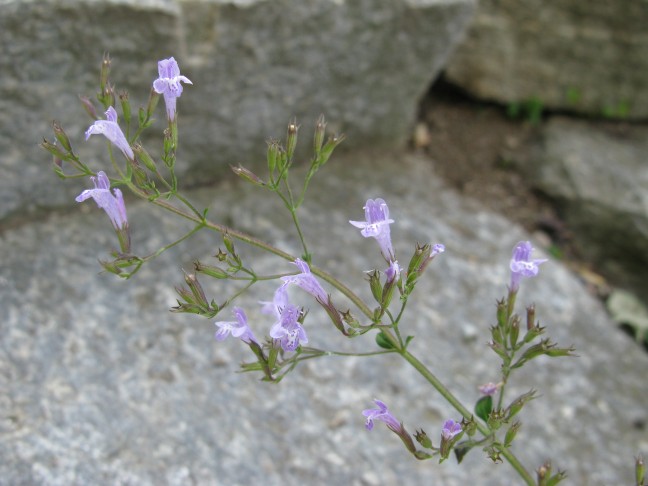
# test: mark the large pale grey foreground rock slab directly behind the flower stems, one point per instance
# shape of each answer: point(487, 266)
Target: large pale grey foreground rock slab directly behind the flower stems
point(101, 385)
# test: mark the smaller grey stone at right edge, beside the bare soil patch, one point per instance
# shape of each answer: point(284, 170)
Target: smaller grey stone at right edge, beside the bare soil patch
point(599, 177)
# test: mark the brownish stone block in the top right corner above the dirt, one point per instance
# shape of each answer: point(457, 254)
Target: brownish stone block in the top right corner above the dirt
point(582, 56)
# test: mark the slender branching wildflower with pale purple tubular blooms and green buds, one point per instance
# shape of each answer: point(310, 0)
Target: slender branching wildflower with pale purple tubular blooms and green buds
point(490, 424)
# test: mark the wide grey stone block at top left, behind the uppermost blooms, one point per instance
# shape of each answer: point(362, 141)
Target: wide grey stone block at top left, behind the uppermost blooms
point(255, 64)
